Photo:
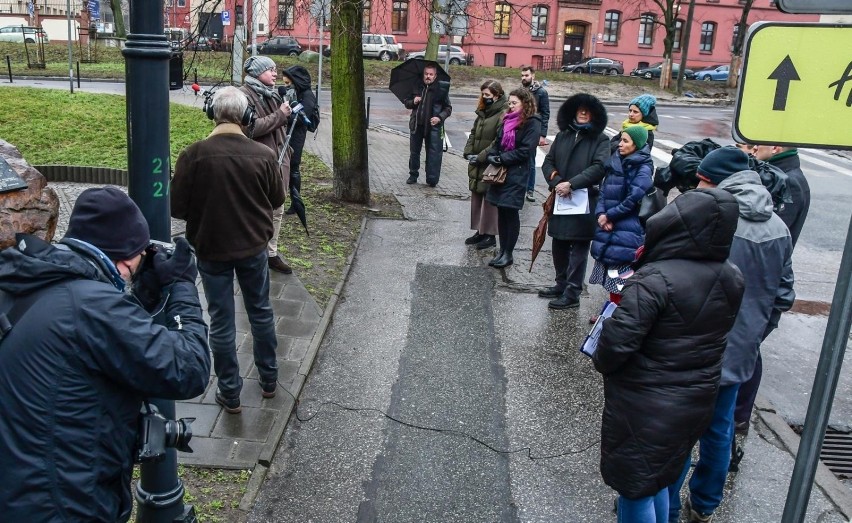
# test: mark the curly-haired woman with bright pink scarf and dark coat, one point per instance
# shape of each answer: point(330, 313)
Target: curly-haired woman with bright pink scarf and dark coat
point(516, 141)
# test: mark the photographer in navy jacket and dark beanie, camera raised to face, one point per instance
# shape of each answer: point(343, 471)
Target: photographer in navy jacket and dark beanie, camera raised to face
point(78, 355)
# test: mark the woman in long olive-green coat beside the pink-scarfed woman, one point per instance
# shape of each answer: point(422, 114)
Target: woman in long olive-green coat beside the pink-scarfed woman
point(489, 111)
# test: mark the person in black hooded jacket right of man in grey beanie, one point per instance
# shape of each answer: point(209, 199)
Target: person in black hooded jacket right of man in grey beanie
point(297, 88)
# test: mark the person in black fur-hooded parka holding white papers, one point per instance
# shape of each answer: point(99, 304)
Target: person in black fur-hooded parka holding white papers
point(576, 160)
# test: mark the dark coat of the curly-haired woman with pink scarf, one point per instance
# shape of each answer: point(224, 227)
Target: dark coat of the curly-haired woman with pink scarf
point(511, 194)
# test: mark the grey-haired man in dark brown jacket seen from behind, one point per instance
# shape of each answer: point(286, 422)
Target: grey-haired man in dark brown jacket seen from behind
point(226, 188)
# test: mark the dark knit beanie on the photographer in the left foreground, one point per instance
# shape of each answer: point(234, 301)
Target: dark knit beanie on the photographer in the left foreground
point(108, 219)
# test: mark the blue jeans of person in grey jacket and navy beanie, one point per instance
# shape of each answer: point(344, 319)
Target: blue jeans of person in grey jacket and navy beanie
point(708, 480)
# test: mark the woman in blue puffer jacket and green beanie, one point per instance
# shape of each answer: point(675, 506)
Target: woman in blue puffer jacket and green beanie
point(620, 233)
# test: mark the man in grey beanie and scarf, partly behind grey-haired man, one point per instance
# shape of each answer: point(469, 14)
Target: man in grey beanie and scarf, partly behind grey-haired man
point(270, 129)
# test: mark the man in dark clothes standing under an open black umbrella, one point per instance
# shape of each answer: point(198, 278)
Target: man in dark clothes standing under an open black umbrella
point(429, 101)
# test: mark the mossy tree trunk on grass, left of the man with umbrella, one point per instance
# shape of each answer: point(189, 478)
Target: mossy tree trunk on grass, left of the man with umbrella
point(349, 118)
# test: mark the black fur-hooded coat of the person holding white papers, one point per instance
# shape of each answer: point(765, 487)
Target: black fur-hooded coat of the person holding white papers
point(579, 157)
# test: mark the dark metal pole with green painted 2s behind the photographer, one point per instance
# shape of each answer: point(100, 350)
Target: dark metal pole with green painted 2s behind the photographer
point(159, 493)
